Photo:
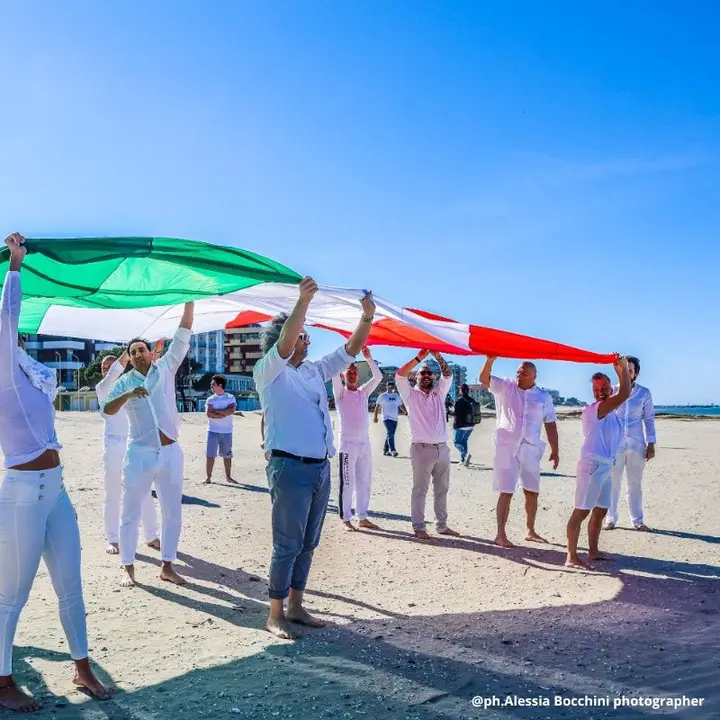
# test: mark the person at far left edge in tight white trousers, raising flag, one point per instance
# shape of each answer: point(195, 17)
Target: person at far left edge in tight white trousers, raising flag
point(37, 518)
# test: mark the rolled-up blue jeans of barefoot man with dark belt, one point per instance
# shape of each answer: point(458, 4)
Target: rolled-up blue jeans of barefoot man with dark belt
point(299, 493)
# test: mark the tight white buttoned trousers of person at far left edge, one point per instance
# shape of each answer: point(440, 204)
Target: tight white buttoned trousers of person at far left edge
point(37, 520)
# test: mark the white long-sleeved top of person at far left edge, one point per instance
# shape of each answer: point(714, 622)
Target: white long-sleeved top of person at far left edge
point(27, 417)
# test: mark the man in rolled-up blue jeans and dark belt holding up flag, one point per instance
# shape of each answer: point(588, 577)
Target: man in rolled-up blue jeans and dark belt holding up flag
point(298, 442)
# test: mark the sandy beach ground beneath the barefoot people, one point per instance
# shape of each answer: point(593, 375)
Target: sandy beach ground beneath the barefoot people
point(417, 629)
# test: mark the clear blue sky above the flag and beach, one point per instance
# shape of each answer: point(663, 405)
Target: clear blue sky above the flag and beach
point(547, 168)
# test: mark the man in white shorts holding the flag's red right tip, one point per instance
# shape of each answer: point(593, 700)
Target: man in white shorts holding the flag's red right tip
point(602, 429)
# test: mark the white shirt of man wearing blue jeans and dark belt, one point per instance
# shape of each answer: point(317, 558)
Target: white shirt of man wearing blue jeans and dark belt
point(295, 404)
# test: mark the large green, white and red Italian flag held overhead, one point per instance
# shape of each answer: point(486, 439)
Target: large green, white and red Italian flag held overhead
point(115, 289)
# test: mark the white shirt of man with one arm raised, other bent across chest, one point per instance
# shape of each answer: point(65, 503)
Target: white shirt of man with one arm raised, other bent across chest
point(157, 411)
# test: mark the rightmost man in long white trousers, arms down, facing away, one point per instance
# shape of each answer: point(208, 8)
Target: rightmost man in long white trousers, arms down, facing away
point(635, 450)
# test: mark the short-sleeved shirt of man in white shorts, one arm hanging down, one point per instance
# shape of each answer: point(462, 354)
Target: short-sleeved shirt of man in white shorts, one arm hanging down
point(520, 414)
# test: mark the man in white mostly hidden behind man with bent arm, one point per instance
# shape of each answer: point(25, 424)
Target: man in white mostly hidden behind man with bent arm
point(116, 434)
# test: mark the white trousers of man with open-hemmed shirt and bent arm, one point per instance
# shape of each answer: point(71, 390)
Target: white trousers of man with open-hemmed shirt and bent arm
point(141, 469)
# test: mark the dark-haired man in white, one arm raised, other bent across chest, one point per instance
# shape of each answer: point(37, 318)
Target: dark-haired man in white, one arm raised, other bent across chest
point(153, 454)
